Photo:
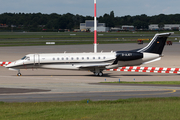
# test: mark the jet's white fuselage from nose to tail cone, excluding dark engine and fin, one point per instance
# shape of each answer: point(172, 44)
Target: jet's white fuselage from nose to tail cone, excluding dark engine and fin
point(77, 61)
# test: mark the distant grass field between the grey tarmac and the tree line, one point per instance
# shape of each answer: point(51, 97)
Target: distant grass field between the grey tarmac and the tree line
point(70, 38)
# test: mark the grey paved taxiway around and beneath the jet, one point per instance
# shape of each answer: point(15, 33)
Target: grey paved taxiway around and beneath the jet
point(63, 85)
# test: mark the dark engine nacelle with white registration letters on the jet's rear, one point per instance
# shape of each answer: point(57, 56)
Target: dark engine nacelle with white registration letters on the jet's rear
point(127, 56)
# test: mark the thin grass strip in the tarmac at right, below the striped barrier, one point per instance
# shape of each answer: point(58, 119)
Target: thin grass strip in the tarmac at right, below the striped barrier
point(152, 82)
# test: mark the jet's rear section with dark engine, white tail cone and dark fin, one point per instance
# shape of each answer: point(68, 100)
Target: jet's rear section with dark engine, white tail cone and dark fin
point(150, 53)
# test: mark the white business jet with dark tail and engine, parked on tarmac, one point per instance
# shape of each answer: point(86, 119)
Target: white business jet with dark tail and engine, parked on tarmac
point(94, 62)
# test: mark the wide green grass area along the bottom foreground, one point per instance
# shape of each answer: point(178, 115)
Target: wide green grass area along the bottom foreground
point(127, 109)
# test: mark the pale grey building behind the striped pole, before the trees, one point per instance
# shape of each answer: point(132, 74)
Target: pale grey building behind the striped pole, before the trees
point(89, 25)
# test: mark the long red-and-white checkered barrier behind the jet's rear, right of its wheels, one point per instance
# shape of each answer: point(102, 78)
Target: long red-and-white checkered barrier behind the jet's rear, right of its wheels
point(147, 69)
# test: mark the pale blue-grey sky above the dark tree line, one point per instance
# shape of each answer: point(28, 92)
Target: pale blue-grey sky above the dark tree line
point(85, 7)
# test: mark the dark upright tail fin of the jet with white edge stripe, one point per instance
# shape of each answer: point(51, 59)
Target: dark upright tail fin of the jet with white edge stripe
point(157, 44)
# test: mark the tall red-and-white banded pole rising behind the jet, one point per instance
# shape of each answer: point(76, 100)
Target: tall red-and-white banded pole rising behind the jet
point(95, 28)
